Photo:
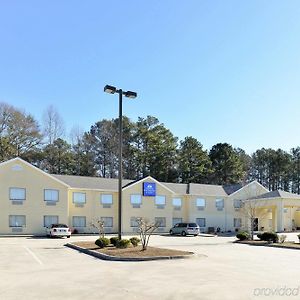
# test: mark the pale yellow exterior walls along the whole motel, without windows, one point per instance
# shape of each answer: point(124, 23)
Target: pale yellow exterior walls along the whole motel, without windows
point(17, 173)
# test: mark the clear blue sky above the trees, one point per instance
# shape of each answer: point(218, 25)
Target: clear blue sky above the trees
point(220, 71)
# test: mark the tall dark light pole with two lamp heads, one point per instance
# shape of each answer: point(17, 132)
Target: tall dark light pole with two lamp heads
point(112, 90)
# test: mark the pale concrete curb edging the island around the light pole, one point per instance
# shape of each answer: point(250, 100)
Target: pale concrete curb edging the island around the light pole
point(118, 258)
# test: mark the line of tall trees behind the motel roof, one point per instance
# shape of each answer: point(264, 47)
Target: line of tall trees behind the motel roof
point(149, 148)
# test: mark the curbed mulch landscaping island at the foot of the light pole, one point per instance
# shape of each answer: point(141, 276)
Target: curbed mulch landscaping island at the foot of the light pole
point(128, 254)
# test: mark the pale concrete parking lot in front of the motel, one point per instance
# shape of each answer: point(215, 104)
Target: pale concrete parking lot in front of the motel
point(40, 268)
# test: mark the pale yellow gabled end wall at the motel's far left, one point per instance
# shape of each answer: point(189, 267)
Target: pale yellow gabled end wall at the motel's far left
point(34, 207)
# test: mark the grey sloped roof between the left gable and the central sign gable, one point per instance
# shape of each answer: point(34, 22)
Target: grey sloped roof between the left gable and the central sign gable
point(96, 183)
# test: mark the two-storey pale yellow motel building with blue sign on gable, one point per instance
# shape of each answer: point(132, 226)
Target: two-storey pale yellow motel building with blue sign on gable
point(31, 199)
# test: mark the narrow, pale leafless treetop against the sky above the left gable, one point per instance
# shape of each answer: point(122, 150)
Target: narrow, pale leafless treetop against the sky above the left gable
point(53, 124)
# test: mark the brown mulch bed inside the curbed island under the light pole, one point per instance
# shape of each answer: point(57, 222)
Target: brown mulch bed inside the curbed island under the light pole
point(132, 251)
